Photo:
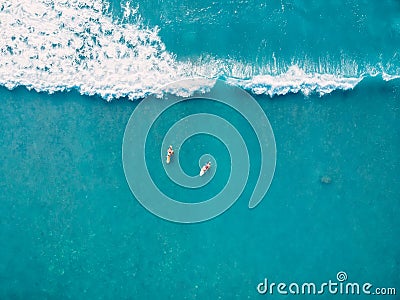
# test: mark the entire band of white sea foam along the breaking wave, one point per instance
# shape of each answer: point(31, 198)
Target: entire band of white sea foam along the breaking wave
point(57, 45)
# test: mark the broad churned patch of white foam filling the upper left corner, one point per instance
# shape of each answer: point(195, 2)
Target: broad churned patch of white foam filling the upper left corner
point(60, 45)
